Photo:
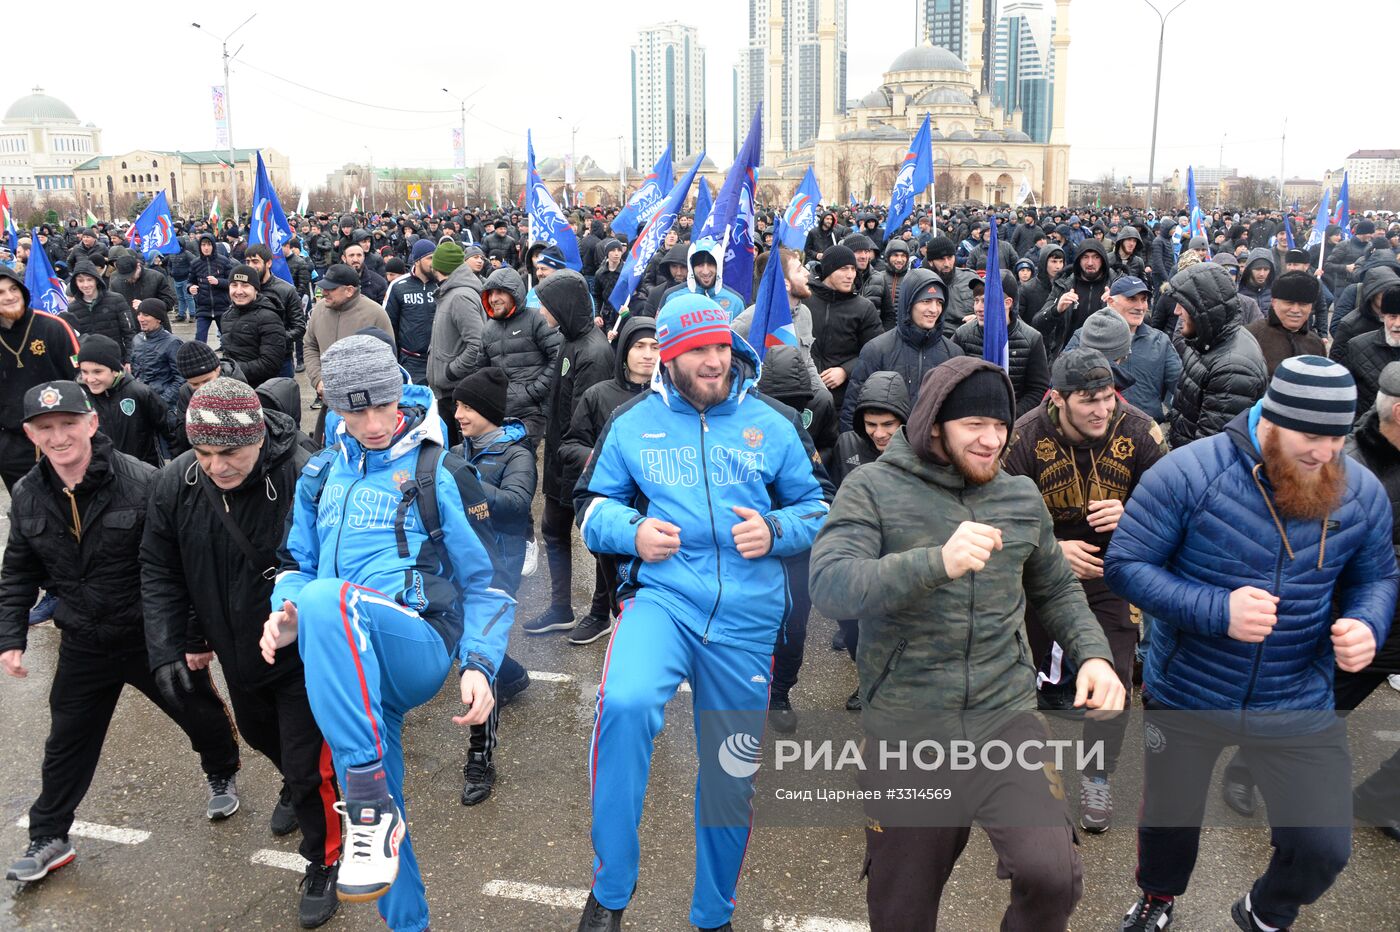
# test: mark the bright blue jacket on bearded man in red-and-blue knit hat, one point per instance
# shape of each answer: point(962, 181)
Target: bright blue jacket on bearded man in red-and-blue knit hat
point(661, 458)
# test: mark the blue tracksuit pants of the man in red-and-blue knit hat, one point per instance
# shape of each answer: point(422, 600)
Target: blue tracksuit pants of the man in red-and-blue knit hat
point(649, 656)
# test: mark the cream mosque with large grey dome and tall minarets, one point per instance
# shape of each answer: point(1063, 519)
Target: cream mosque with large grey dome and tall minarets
point(981, 152)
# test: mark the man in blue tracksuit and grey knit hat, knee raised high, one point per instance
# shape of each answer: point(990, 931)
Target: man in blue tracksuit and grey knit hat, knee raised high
point(381, 595)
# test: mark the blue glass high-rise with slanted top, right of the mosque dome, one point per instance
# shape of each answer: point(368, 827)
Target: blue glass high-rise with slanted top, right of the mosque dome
point(1023, 66)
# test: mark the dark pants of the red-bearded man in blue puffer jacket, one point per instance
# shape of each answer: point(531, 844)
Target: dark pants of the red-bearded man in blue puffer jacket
point(1310, 853)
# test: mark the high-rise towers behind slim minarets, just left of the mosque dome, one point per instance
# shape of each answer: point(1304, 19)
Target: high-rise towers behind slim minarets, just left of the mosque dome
point(797, 101)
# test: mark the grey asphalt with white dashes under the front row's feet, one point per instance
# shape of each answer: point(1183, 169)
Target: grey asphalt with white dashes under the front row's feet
point(149, 860)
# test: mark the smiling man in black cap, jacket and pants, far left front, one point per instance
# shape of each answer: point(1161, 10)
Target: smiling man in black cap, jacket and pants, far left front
point(76, 528)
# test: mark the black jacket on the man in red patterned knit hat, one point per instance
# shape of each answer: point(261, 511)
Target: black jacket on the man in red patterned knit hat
point(198, 586)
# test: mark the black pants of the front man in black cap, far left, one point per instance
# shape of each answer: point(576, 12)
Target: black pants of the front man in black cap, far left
point(87, 685)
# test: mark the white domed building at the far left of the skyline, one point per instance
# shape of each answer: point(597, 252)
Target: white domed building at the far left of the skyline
point(41, 142)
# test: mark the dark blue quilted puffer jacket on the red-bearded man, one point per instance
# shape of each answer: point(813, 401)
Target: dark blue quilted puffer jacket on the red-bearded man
point(1198, 527)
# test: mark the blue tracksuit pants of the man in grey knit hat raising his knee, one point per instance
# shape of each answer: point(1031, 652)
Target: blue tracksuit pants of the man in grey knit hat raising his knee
point(369, 661)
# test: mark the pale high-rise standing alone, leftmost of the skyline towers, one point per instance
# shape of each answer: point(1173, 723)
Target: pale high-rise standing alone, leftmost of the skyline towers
point(667, 94)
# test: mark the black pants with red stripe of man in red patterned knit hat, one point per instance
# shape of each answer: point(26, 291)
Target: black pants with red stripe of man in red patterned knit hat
point(276, 723)
